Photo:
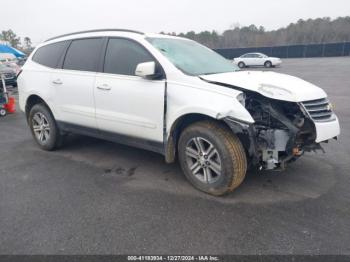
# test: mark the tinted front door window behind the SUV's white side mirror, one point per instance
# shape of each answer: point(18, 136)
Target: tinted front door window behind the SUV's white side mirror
point(122, 56)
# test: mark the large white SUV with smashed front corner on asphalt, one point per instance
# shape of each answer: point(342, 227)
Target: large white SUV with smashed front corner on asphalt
point(172, 96)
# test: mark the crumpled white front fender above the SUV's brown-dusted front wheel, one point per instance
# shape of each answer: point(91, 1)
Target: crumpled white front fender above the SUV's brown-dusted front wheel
point(194, 103)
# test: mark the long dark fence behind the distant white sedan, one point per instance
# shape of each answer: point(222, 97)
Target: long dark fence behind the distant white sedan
point(292, 51)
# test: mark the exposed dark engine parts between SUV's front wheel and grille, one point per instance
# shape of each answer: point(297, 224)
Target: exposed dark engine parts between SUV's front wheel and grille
point(283, 131)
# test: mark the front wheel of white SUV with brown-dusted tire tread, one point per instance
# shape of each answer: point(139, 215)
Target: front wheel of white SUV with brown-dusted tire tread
point(227, 156)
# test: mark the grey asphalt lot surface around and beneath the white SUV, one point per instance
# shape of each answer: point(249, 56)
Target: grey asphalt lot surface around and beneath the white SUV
point(96, 197)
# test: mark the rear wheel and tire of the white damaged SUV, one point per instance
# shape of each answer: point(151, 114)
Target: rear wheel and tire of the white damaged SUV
point(41, 121)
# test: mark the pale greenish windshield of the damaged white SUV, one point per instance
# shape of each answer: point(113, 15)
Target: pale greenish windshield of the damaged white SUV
point(191, 57)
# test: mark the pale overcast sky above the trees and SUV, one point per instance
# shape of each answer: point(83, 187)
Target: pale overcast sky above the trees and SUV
point(41, 19)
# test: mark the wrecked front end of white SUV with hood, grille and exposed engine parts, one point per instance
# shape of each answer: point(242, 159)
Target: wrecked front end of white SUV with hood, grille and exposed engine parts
point(283, 129)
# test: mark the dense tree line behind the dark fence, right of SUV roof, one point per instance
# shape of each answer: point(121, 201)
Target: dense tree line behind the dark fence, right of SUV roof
point(320, 30)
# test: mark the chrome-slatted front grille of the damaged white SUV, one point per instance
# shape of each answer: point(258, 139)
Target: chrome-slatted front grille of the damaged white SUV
point(319, 109)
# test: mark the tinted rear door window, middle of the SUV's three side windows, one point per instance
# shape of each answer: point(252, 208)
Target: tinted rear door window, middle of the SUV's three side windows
point(83, 55)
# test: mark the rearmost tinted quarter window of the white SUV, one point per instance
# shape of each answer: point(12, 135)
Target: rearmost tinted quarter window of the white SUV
point(50, 55)
